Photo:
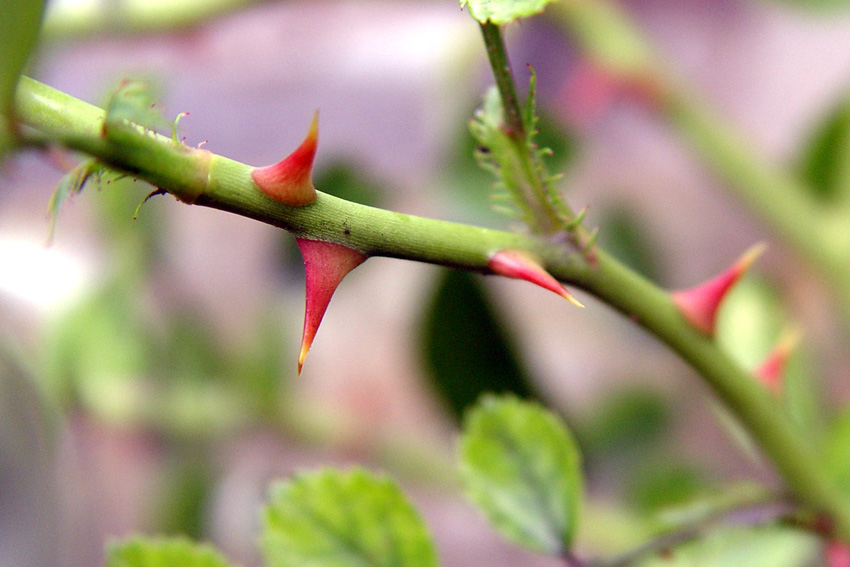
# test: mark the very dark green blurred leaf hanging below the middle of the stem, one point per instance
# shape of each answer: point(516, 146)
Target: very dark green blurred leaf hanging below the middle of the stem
point(466, 347)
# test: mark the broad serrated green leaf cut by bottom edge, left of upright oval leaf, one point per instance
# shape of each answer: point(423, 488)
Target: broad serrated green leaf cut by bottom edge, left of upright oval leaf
point(334, 518)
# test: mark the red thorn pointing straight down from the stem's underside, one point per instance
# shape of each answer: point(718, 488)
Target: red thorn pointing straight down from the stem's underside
point(325, 264)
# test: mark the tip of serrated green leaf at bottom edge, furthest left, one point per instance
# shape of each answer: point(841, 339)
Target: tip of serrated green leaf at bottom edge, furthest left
point(171, 552)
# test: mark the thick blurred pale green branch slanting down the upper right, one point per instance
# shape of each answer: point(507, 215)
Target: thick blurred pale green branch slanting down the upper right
point(611, 41)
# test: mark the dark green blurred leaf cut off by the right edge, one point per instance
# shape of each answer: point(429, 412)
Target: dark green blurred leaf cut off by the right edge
point(825, 161)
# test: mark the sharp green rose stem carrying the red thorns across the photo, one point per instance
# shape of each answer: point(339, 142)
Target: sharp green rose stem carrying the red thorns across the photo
point(206, 179)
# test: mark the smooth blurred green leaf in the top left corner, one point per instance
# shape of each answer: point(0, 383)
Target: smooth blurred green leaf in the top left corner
point(20, 21)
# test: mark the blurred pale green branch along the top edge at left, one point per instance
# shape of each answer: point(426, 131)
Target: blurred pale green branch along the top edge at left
point(75, 20)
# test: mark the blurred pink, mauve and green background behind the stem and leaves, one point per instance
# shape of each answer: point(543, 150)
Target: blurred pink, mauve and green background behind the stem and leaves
point(148, 366)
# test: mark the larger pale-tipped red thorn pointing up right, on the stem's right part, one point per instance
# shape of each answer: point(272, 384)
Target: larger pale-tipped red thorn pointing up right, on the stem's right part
point(699, 304)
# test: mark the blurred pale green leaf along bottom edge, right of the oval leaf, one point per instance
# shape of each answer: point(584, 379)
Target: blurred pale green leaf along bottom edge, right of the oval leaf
point(742, 547)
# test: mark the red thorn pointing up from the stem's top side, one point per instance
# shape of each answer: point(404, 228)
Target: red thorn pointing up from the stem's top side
point(290, 180)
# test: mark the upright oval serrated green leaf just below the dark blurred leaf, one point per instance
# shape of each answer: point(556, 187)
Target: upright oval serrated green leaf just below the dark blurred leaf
point(520, 465)
